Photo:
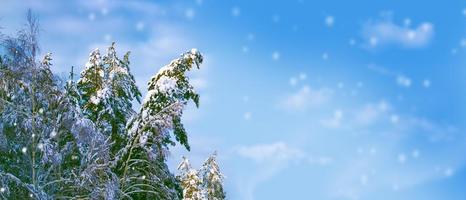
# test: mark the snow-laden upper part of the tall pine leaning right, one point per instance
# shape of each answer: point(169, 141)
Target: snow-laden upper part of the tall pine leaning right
point(169, 92)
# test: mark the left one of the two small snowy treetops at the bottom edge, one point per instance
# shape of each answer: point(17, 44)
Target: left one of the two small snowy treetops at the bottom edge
point(190, 181)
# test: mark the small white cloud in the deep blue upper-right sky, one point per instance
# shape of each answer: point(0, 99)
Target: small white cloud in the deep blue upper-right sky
point(386, 32)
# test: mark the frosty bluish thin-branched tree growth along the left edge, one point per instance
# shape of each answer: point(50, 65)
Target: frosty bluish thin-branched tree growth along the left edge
point(48, 149)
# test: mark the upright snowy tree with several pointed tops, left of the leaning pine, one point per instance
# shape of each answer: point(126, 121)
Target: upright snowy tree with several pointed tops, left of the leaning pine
point(108, 89)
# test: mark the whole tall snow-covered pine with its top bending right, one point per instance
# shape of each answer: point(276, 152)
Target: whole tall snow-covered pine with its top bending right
point(149, 132)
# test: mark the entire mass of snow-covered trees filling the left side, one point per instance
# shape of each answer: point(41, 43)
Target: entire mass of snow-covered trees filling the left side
point(83, 140)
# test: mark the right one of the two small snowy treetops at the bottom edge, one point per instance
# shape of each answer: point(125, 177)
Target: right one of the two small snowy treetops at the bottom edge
point(212, 179)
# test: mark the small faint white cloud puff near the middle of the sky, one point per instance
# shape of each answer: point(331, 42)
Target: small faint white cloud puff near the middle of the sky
point(306, 98)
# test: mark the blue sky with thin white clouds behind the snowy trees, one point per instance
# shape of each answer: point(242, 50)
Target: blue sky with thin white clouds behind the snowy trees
point(302, 99)
